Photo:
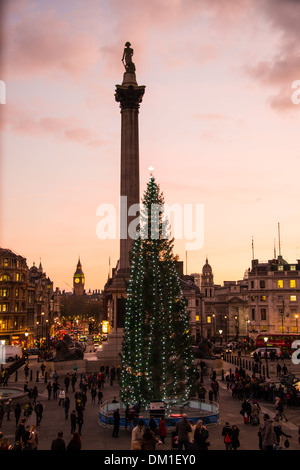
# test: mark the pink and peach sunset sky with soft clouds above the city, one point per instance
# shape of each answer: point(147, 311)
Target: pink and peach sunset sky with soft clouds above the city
point(217, 123)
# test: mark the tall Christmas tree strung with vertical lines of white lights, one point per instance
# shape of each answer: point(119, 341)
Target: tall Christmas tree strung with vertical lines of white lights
point(157, 361)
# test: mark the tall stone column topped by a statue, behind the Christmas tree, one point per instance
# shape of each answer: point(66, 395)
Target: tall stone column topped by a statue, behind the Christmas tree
point(129, 95)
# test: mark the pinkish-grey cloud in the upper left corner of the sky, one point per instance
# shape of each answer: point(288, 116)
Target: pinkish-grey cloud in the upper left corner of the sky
point(39, 43)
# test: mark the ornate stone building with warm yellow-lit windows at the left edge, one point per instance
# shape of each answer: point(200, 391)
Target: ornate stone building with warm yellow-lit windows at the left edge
point(27, 301)
